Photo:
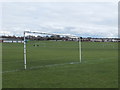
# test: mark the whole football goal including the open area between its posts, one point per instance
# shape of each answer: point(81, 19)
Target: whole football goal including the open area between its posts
point(47, 49)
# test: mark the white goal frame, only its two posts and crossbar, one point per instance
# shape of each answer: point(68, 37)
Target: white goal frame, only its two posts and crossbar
point(43, 33)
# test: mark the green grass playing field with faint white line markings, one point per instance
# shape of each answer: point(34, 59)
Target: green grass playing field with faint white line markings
point(56, 65)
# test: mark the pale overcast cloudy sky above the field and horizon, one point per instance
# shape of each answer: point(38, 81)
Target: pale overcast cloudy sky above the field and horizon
point(86, 19)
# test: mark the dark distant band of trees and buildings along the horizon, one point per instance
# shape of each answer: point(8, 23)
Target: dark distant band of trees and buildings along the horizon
point(58, 37)
